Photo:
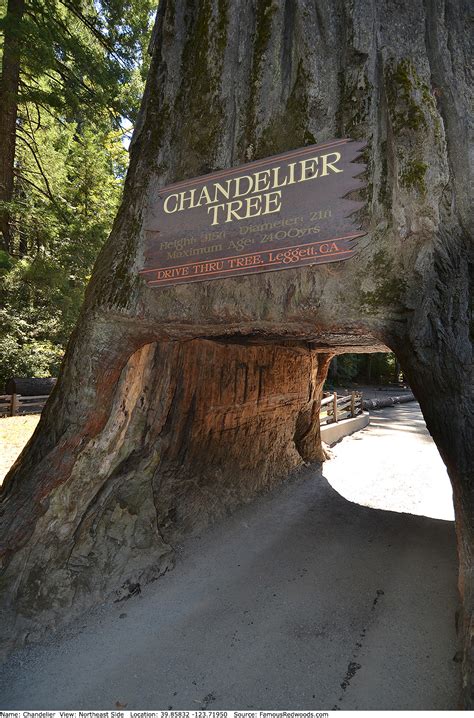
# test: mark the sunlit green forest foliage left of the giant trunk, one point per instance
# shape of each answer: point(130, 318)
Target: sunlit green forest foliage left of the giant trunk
point(82, 71)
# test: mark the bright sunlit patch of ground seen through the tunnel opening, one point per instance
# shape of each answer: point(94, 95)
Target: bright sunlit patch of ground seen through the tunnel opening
point(395, 466)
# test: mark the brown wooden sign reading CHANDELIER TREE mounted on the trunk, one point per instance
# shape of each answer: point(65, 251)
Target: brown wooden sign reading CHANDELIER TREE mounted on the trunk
point(281, 212)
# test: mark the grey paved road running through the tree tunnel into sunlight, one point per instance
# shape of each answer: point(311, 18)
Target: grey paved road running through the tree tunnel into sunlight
point(303, 599)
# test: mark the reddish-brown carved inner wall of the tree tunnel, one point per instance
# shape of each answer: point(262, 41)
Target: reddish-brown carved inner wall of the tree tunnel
point(231, 429)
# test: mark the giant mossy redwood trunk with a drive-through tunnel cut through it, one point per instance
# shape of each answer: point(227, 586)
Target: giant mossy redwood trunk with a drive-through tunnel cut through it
point(175, 404)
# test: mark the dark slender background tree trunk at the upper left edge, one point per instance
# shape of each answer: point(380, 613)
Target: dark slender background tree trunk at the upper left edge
point(9, 86)
